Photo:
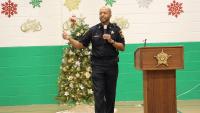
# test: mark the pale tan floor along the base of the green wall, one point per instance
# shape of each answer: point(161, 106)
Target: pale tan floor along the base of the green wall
point(183, 106)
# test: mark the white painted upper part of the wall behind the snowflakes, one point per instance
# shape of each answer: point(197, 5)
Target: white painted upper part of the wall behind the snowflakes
point(152, 23)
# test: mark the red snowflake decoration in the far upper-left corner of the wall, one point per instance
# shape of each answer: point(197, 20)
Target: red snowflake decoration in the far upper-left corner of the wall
point(9, 8)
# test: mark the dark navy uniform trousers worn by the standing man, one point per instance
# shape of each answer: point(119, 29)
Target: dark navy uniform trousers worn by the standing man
point(104, 81)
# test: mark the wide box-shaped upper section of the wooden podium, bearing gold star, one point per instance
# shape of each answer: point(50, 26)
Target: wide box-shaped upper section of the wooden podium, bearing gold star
point(159, 58)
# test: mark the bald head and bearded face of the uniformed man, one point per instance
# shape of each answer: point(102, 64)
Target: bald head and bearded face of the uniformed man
point(104, 15)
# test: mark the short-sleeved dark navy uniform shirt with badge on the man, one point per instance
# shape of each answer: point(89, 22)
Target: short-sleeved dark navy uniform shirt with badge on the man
point(102, 50)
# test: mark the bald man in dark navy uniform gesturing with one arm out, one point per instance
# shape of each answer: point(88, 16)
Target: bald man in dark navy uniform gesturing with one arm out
point(106, 39)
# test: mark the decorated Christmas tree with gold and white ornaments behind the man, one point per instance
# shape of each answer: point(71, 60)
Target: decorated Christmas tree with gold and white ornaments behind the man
point(74, 82)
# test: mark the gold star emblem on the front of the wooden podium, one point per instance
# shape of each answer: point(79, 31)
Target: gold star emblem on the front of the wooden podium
point(162, 58)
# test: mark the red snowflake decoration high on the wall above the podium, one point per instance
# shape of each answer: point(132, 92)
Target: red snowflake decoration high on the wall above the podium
point(175, 8)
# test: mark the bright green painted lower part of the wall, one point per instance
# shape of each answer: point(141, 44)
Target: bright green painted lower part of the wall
point(28, 75)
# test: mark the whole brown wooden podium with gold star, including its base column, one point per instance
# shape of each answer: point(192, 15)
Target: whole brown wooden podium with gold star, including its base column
point(159, 66)
